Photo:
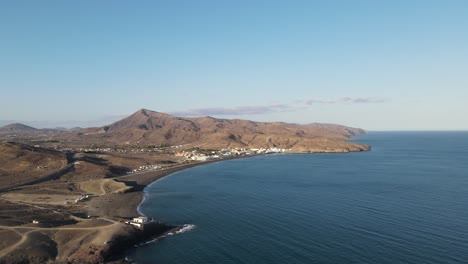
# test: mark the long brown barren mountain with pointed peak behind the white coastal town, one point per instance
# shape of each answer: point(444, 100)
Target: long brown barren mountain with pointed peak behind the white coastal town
point(154, 128)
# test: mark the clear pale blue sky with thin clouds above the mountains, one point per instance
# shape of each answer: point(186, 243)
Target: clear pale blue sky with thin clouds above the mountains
point(377, 65)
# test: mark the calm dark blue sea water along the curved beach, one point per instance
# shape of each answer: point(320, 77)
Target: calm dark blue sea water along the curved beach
point(406, 201)
